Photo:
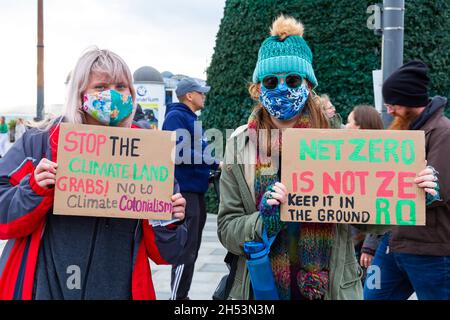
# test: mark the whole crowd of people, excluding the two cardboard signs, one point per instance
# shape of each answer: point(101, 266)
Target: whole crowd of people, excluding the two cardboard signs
point(309, 261)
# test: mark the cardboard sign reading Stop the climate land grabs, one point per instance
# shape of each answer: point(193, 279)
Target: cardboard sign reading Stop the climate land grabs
point(114, 172)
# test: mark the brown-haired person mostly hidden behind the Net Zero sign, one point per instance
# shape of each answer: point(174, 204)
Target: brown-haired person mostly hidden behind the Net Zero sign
point(364, 117)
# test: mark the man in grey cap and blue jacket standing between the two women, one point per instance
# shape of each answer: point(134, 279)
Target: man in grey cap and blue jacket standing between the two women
point(192, 171)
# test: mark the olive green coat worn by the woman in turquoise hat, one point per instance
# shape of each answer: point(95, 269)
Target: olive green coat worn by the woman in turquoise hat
point(239, 221)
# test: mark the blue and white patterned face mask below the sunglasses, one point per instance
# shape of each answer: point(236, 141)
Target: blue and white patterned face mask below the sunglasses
point(283, 102)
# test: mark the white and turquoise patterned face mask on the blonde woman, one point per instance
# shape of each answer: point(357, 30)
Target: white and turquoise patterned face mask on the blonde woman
point(108, 107)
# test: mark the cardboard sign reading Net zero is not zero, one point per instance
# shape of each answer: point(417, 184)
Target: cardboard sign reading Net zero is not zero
point(353, 176)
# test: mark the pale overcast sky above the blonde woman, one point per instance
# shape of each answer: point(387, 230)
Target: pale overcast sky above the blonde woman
point(174, 35)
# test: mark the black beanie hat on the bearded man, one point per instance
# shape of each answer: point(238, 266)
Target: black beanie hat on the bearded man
point(408, 85)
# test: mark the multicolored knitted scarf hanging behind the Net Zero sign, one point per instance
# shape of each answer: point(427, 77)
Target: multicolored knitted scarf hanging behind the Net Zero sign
point(300, 255)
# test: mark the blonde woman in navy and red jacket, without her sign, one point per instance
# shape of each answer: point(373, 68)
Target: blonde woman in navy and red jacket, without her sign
point(63, 257)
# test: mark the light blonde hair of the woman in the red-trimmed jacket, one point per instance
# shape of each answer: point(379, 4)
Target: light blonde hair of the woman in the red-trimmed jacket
point(94, 60)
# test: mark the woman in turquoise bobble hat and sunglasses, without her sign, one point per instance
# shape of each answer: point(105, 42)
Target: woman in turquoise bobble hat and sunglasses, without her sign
point(307, 260)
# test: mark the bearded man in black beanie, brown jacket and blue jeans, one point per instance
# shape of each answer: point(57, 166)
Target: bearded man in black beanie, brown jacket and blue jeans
point(417, 259)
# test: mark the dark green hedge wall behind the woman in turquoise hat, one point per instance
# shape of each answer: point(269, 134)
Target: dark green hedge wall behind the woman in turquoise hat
point(344, 50)
